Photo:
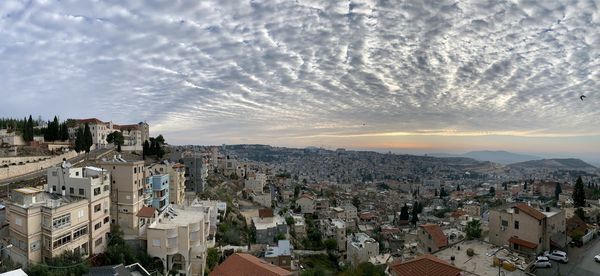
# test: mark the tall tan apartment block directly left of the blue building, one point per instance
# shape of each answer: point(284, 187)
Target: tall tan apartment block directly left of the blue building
point(127, 194)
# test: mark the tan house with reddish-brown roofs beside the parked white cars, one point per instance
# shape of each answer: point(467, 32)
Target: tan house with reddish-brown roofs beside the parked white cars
point(528, 229)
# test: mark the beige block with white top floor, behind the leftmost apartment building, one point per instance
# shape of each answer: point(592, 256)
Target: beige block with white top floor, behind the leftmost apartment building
point(90, 183)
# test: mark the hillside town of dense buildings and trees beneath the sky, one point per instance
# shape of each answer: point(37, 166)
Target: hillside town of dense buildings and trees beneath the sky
point(87, 196)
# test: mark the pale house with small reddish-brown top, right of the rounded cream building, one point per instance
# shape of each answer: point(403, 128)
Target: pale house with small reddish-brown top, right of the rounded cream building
point(268, 226)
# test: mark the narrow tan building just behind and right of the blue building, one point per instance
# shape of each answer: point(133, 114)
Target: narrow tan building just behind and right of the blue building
point(176, 173)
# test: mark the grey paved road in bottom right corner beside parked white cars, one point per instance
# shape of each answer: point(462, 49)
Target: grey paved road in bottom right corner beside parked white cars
point(581, 262)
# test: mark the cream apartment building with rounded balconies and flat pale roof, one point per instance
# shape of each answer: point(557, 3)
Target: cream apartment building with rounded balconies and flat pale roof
point(178, 238)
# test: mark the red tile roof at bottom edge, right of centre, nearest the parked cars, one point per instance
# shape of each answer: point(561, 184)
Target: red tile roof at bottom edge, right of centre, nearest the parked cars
point(425, 265)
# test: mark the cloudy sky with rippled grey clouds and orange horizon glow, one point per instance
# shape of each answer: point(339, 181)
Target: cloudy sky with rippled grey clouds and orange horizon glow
point(406, 76)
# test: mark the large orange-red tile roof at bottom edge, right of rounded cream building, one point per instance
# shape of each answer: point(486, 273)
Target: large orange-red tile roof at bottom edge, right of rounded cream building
point(242, 264)
